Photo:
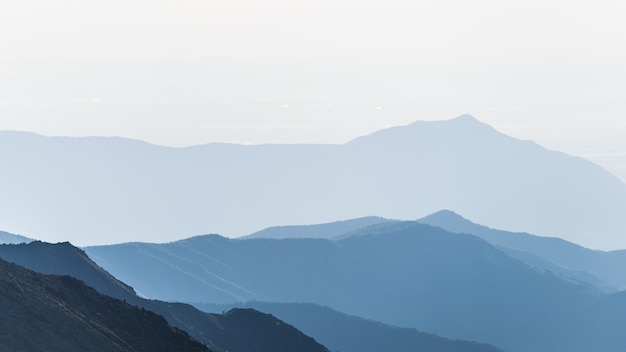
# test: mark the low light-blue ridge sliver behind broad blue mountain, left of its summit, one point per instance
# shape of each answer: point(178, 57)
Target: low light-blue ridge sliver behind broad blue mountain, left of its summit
point(329, 230)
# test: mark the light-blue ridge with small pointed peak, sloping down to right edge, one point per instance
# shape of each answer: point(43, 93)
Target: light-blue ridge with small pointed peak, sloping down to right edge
point(606, 270)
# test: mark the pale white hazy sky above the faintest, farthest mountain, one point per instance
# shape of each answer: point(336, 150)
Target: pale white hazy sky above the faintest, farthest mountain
point(190, 71)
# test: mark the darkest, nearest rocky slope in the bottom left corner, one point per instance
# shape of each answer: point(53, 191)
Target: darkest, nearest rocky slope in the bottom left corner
point(59, 313)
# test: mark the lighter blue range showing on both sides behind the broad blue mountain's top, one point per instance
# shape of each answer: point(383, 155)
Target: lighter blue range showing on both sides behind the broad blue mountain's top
point(603, 269)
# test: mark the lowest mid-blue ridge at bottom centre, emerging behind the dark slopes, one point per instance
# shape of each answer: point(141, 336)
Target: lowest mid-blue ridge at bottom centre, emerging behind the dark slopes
point(345, 333)
